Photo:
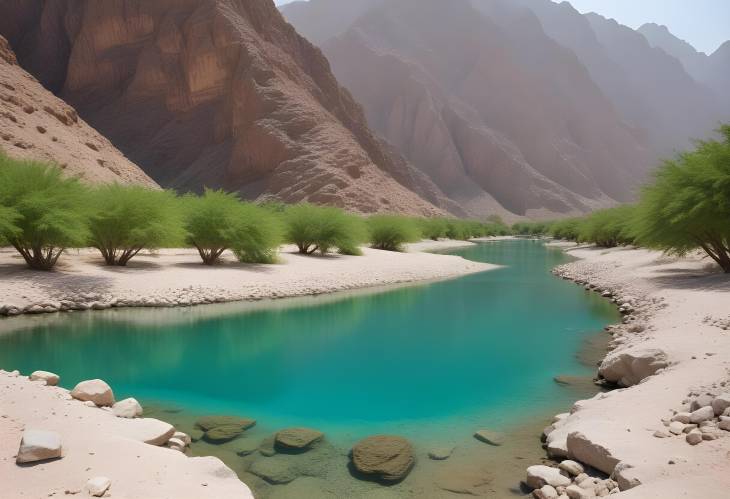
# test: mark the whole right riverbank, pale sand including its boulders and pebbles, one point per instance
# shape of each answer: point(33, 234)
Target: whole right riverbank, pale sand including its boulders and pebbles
point(670, 357)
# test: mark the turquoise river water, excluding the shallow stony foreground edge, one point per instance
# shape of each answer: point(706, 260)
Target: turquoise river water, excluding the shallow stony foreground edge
point(433, 362)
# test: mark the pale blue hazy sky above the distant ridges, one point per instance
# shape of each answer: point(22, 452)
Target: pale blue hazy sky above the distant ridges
point(703, 23)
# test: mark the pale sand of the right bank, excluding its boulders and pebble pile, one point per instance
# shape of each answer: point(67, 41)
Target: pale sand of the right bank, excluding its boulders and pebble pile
point(691, 290)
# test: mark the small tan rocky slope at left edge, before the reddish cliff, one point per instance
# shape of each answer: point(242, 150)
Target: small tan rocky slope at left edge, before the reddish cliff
point(35, 124)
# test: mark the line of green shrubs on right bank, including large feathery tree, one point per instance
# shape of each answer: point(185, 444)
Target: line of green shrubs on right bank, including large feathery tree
point(685, 207)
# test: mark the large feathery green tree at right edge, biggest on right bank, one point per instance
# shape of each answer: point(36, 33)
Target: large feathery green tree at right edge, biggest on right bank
point(687, 206)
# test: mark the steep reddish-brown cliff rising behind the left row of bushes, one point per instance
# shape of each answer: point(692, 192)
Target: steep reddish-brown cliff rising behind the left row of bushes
point(217, 93)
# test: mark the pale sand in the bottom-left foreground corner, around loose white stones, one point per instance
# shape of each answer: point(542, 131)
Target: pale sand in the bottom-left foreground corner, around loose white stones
point(96, 443)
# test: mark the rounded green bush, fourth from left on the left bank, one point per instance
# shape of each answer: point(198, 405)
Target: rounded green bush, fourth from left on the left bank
point(321, 228)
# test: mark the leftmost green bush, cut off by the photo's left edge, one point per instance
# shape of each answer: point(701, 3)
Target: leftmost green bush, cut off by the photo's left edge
point(46, 212)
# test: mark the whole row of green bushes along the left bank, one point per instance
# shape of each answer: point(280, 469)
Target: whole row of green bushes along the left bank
point(42, 213)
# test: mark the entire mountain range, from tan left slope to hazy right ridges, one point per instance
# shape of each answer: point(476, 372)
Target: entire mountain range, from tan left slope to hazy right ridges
point(472, 107)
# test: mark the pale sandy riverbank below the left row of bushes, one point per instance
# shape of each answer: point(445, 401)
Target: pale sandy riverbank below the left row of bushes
point(172, 278)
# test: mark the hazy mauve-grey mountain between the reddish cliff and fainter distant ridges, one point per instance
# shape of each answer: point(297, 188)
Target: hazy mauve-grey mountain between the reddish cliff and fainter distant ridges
point(491, 109)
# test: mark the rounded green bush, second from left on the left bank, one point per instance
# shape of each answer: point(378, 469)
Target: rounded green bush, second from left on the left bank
point(127, 219)
